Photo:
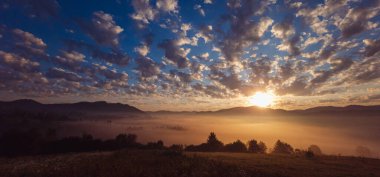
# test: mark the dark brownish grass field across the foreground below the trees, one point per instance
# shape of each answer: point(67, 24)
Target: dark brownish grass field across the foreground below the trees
point(144, 163)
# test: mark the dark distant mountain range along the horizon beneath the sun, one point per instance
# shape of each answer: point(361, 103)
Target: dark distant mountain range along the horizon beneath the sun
point(104, 107)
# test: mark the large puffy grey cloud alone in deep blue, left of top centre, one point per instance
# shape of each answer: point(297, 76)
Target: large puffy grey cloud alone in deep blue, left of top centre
point(103, 29)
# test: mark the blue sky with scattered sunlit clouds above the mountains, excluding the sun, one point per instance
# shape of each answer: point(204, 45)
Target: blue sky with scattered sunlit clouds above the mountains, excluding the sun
point(191, 54)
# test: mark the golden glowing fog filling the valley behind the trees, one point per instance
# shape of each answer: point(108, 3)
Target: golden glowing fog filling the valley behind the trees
point(334, 135)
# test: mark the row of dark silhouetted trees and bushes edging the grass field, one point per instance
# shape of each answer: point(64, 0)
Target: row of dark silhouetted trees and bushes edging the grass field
point(33, 142)
